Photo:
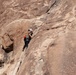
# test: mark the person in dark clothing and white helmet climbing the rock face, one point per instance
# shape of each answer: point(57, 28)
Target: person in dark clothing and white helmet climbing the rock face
point(27, 38)
